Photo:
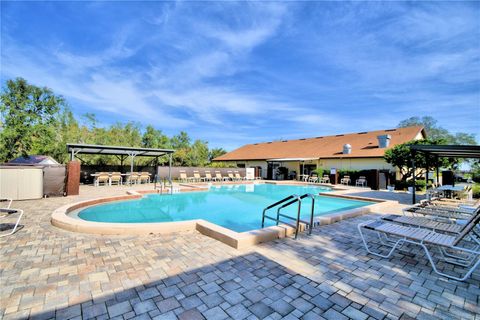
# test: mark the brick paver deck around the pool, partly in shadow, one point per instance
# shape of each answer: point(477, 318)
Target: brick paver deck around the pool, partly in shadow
point(50, 273)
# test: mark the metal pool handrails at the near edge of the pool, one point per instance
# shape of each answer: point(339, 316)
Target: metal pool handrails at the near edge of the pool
point(285, 202)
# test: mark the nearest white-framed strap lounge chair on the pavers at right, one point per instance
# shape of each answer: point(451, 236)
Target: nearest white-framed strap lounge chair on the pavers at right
point(460, 249)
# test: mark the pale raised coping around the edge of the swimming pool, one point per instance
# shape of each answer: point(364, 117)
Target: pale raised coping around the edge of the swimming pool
point(60, 218)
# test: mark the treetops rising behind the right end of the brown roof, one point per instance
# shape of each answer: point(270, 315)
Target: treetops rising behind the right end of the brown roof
point(436, 132)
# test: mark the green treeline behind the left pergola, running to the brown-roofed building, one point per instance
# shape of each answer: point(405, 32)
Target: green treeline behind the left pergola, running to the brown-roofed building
point(35, 121)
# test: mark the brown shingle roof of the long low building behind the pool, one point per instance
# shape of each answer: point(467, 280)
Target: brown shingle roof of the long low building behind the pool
point(364, 145)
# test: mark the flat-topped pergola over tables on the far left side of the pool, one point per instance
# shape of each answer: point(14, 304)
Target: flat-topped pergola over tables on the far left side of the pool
point(121, 152)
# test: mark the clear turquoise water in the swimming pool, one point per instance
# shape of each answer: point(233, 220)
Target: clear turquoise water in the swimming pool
point(236, 207)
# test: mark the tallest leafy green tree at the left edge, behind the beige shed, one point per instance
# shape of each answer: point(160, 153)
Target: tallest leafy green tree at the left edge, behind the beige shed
point(29, 118)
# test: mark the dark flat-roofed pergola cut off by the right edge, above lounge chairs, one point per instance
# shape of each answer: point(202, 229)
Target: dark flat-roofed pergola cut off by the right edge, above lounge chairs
point(441, 151)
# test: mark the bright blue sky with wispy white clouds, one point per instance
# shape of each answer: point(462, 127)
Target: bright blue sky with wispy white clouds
point(235, 73)
